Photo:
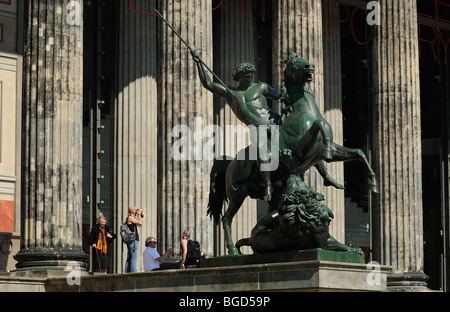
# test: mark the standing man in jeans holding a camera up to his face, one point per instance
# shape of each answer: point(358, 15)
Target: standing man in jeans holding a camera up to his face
point(134, 220)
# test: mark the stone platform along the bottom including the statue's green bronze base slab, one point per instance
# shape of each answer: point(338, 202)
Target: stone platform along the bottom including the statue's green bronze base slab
point(313, 270)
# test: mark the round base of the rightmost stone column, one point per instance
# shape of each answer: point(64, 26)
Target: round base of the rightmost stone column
point(407, 281)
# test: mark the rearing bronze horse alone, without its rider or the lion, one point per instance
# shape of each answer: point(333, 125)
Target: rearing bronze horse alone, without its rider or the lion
point(305, 140)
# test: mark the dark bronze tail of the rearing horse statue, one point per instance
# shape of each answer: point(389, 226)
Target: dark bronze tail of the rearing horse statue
point(217, 191)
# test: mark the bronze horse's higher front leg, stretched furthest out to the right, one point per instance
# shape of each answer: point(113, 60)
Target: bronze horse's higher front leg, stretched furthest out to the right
point(341, 153)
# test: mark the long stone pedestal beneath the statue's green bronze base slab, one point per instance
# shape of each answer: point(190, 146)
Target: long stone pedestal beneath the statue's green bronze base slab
point(298, 276)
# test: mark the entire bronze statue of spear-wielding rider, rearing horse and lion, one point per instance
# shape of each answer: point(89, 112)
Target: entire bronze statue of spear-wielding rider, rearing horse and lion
point(305, 140)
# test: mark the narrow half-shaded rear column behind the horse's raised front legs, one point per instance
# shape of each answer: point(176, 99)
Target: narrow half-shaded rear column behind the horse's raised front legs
point(333, 114)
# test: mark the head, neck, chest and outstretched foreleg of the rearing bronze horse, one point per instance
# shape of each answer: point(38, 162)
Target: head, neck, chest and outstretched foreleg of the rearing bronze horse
point(304, 130)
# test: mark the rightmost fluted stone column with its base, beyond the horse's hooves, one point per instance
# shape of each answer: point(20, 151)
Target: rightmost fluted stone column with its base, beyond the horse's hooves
point(397, 215)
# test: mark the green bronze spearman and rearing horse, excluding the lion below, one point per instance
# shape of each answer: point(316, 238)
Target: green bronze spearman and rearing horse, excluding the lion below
point(305, 140)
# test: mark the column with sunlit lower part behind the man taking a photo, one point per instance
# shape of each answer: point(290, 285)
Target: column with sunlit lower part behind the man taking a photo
point(136, 110)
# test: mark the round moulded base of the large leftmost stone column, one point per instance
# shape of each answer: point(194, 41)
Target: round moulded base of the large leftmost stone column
point(45, 259)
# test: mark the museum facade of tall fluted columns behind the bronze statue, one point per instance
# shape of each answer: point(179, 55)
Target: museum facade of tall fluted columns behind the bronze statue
point(91, 93)
